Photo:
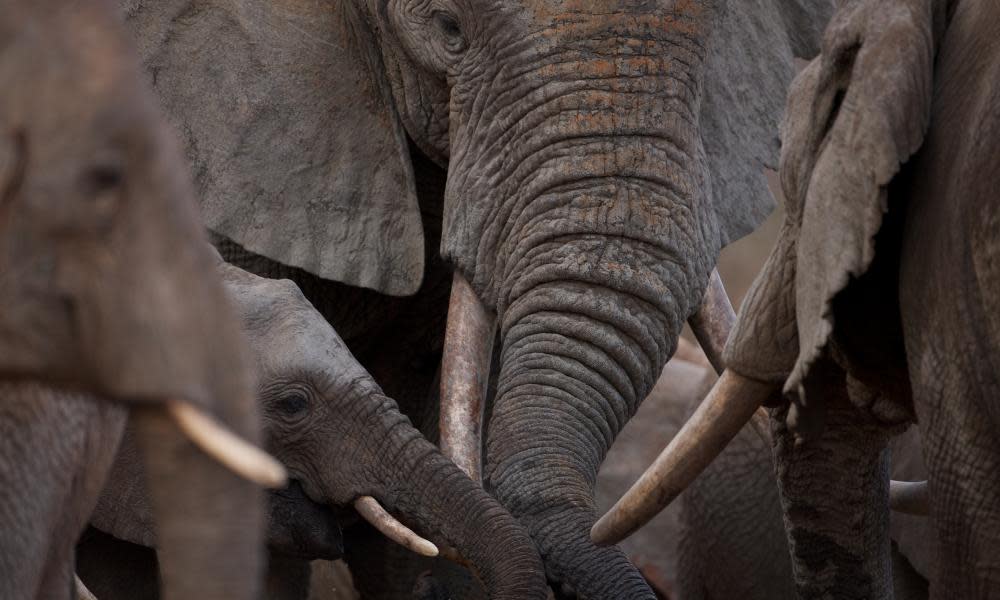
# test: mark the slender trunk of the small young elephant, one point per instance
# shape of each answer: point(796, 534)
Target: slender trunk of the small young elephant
point(428, 491)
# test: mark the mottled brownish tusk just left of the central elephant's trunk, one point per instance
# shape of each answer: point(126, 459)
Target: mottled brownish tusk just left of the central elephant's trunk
point(465, 373)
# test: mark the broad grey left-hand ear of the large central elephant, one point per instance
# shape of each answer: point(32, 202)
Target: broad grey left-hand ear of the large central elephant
point(288, 120)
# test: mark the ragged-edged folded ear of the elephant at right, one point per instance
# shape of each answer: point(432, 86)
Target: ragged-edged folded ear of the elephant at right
point(855, 115)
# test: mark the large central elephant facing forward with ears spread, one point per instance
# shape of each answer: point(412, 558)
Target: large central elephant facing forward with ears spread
point(597, 157)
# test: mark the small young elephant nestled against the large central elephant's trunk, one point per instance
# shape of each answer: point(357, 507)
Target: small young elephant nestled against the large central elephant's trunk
point(327, 420)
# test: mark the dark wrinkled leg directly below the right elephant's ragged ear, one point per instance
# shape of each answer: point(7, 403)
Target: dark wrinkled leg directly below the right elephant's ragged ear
point(834, 489)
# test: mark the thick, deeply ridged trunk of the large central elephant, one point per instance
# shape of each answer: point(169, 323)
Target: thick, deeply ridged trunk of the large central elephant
point(603, 255)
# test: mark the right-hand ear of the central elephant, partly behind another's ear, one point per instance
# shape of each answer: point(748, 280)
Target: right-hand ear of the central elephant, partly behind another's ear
point(749, 66)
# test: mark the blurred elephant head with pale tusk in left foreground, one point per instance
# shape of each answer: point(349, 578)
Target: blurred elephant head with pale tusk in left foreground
point(107, 284)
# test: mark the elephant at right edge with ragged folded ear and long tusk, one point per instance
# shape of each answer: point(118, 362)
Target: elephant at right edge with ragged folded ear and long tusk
point(878, 303)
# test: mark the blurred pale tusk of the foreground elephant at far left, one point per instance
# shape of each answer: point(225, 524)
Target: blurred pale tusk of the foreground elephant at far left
point(233, 452)
